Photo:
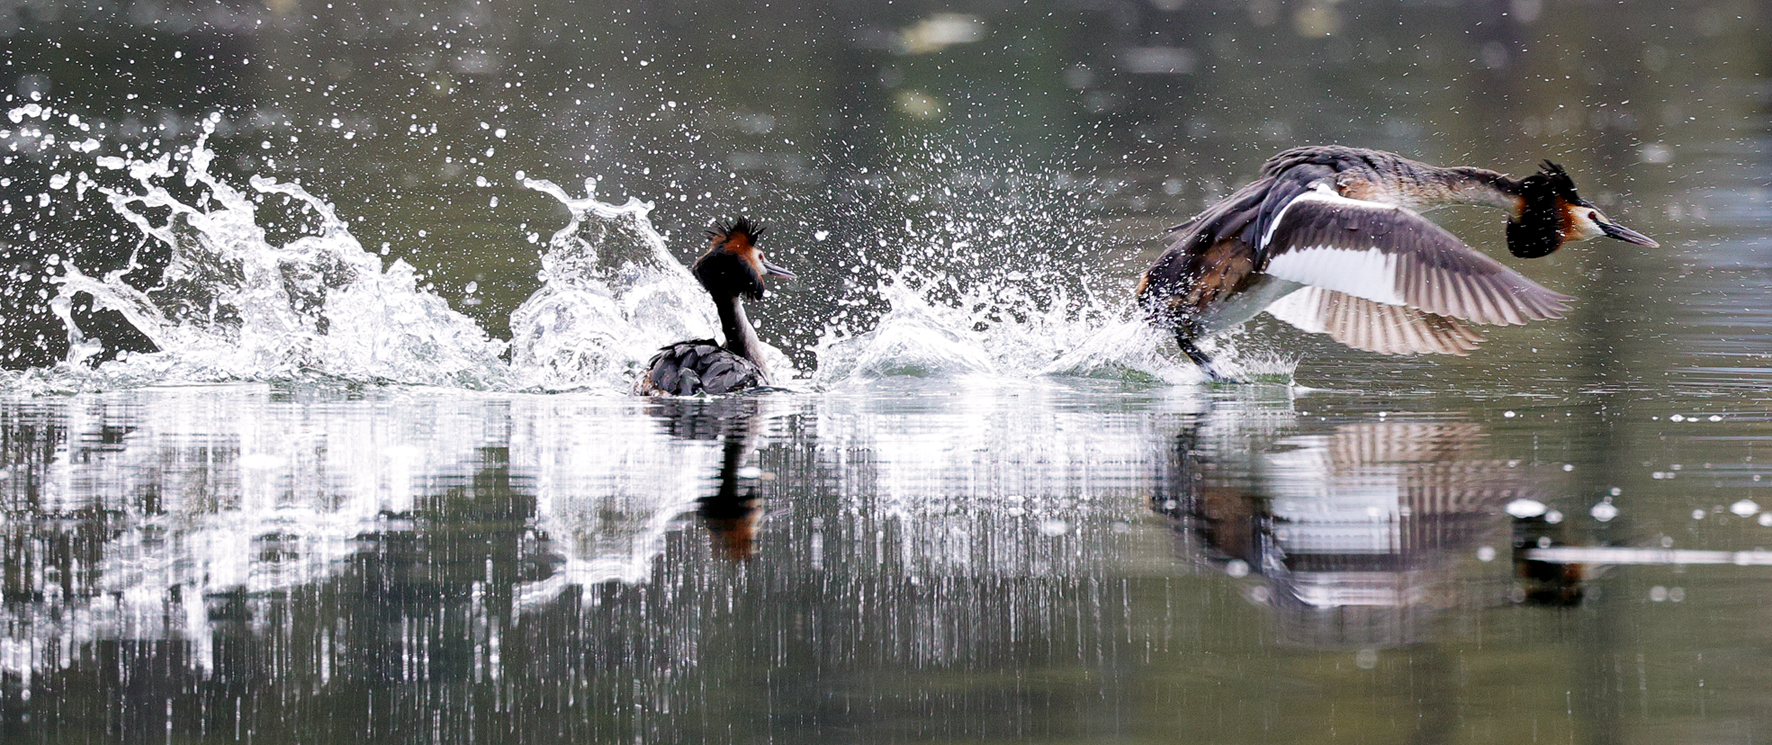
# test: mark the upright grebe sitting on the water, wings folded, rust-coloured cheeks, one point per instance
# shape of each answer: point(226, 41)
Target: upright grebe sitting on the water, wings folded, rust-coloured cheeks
point(731, 272)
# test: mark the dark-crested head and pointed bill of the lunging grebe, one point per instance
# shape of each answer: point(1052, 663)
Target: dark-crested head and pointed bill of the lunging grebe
point(1553, 214)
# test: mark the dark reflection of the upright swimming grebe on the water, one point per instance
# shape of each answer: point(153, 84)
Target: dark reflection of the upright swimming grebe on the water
point(733, 514)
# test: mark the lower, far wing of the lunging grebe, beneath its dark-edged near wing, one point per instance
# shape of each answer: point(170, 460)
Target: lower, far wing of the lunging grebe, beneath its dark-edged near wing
point(1376, 327)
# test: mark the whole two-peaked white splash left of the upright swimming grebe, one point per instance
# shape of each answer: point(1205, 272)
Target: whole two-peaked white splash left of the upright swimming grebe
point(231, 306)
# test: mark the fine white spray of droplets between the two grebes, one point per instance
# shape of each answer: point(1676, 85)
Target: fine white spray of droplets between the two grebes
point(991, 274)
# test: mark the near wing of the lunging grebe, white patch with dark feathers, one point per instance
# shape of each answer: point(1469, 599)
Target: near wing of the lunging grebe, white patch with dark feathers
point(1392, 256)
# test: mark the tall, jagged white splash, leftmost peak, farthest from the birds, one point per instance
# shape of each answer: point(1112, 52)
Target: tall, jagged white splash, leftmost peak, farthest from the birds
point(231, 306)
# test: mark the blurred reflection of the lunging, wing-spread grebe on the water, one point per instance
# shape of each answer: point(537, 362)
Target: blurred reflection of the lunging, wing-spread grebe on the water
point(1360, 535)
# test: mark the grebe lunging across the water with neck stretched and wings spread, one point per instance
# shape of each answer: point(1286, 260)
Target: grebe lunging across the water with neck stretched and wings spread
point(1330, 240)
